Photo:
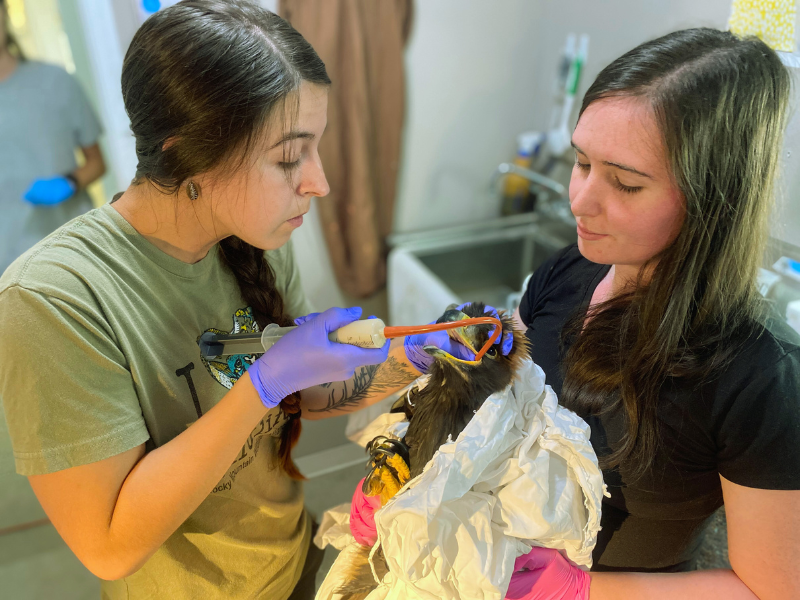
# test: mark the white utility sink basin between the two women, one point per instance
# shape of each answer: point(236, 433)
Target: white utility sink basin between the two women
point(487, 262)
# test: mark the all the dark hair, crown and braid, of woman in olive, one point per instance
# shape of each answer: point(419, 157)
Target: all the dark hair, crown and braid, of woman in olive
point(207, 75)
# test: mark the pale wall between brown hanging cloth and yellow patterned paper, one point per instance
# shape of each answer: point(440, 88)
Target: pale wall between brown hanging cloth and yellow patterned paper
point(478, 76)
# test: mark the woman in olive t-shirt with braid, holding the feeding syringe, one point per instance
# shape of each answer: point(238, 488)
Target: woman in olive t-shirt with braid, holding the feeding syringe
point(167, 474)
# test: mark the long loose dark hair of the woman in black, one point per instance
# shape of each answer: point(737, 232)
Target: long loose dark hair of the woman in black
point(720, 103)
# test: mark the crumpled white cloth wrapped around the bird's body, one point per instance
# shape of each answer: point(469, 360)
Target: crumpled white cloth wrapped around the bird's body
point(522, 473)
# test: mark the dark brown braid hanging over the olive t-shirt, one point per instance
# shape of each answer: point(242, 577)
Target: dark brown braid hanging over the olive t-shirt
point(256, 281)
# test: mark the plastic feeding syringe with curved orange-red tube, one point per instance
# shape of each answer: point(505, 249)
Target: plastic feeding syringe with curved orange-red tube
point(368, 333)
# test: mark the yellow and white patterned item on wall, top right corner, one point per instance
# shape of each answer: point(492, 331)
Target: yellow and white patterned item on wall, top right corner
point(771, 20)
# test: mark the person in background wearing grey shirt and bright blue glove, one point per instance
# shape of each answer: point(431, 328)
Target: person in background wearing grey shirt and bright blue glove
point(44, 118)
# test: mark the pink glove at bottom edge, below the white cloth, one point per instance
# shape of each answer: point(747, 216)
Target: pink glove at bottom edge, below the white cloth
point(544, 574)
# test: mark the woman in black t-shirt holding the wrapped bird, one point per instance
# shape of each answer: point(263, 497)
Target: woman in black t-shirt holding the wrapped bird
point(651, 327)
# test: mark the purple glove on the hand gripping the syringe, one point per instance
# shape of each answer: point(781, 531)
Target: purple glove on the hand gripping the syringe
point(306, 357)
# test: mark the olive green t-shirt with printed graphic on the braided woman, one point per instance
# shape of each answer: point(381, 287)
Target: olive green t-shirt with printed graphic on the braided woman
point(98, 342)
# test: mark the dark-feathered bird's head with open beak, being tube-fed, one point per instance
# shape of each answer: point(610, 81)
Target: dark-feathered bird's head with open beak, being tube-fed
point(494, 371)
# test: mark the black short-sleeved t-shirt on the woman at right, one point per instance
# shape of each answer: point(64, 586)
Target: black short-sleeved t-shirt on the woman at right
point(744, 425)
